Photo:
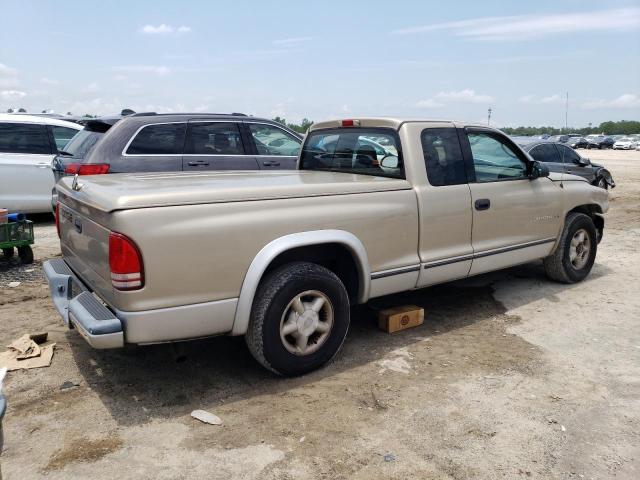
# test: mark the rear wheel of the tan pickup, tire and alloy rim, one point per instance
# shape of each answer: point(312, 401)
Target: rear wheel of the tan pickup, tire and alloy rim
point(274, 312)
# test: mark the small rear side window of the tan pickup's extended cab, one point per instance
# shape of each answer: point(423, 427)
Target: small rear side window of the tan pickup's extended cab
point(443, 157)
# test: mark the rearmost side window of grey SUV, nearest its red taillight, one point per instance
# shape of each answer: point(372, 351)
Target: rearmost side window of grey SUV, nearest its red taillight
point(160, 139)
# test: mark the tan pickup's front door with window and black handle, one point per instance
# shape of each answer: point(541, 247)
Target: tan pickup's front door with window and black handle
point(515, 219)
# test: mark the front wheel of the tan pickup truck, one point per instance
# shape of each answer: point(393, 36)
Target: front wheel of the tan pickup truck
point(559, 266)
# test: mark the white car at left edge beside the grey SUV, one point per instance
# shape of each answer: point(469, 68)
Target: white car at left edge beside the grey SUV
point(27, 147)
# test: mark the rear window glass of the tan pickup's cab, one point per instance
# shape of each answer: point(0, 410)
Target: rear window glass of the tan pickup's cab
point(366, 151)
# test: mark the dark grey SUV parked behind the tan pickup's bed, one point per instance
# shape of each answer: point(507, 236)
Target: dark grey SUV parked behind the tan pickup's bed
point(150, 142)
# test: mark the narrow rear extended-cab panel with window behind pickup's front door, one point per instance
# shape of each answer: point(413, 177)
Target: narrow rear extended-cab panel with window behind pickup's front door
point(444, 202)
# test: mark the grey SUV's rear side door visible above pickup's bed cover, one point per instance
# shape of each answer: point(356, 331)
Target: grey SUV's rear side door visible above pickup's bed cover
point(216, 145)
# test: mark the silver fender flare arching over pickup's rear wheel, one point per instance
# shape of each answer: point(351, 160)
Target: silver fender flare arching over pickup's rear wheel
point(280, 245)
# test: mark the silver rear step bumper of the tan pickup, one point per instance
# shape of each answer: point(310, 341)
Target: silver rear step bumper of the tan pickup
point(80, 309)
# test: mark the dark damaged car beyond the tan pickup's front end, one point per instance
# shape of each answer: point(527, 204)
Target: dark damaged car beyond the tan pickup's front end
point(562, 159)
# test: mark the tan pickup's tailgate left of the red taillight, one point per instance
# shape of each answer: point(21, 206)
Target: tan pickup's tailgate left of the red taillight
point(85, 247)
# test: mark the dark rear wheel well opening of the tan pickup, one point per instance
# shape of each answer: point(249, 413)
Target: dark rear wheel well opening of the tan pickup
point(333, 256)
